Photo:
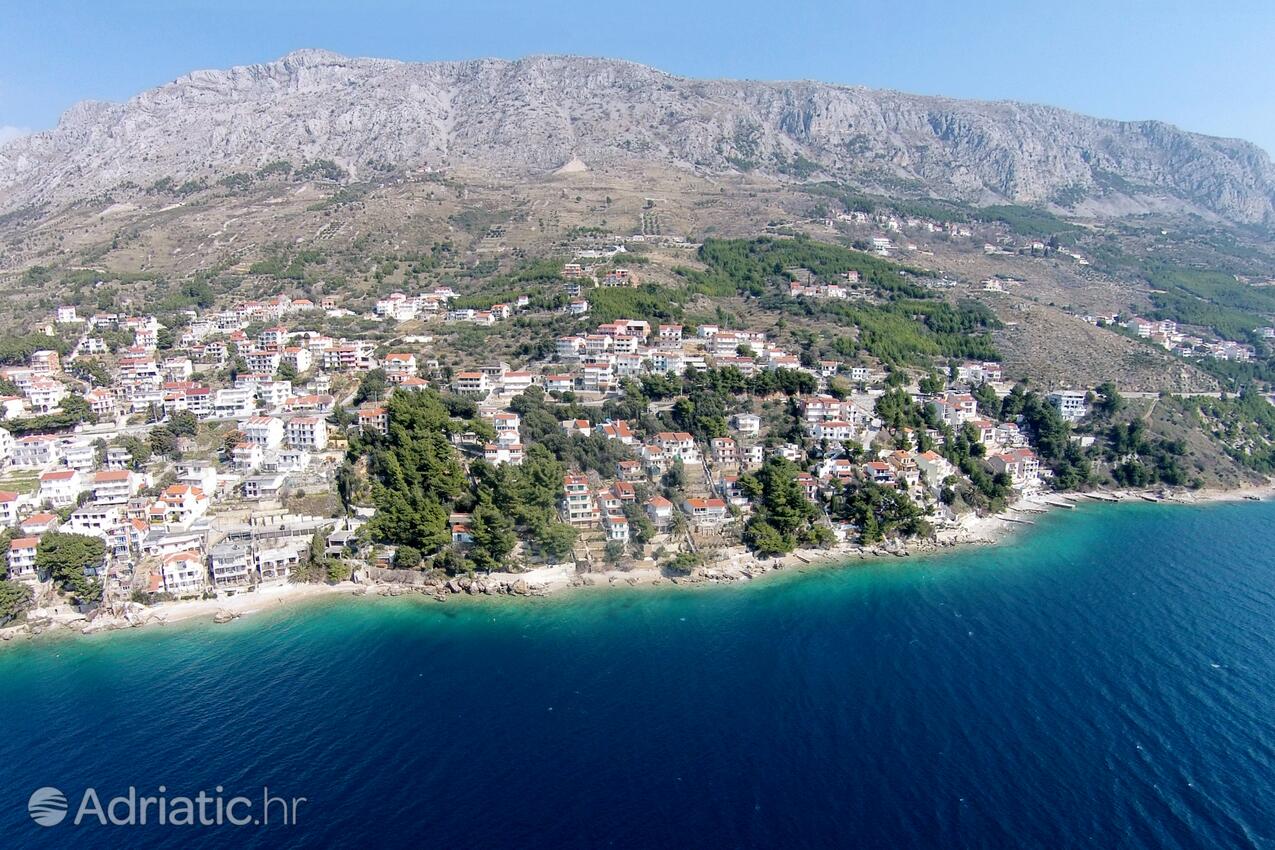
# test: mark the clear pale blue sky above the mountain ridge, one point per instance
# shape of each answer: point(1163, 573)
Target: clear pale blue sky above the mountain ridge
point(1203, 67)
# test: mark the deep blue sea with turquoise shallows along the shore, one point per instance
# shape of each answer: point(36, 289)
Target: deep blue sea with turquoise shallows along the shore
point(1107, 681)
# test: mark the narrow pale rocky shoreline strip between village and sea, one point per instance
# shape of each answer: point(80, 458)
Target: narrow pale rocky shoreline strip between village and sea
point(735, 565)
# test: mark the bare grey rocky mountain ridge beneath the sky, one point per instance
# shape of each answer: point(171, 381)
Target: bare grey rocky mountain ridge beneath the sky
point(535, 115)
